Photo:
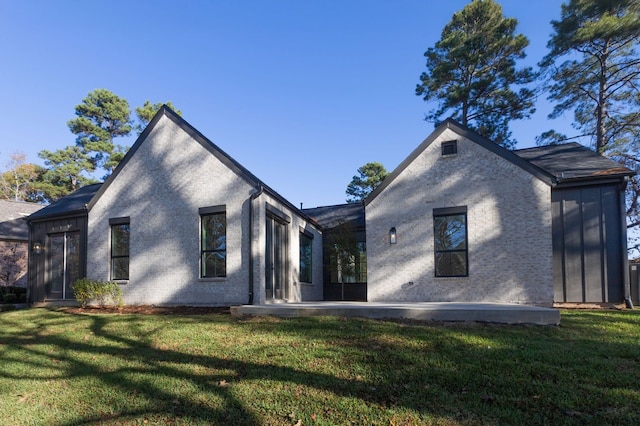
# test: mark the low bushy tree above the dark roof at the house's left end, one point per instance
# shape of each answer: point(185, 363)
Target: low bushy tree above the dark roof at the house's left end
point(67, 171)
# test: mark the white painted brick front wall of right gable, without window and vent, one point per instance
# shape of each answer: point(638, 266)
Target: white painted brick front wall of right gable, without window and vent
point(508, 220)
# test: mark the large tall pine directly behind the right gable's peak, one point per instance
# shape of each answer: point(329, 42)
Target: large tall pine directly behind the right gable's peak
point(471, 71)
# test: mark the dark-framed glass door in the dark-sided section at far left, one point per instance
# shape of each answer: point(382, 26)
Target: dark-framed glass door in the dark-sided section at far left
point(64, 264)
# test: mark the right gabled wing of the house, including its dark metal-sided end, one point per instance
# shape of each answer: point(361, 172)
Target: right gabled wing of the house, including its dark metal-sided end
point(474, 222)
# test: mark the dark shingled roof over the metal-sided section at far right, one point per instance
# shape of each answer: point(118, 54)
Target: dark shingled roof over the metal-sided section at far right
point(572, 161)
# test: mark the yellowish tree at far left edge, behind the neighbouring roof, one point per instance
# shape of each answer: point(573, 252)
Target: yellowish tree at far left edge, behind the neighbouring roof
point(17, 182)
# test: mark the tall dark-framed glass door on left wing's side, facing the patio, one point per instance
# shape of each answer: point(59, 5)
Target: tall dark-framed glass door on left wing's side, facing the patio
point(276, 265)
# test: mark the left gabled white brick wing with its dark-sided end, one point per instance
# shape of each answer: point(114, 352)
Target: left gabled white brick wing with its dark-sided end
point(179, 222)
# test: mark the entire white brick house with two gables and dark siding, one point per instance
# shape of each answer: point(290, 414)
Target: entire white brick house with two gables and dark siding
point(179, 222)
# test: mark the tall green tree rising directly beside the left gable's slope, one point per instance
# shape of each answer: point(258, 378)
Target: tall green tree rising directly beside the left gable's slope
point(102, 116)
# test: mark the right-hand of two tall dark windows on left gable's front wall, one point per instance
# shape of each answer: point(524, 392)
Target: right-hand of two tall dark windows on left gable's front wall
point(213, 243)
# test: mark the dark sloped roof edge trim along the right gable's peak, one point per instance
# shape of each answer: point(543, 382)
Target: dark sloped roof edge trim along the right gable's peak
point(471, 135)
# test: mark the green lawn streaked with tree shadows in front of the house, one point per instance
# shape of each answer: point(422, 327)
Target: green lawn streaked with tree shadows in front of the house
point(464, 373)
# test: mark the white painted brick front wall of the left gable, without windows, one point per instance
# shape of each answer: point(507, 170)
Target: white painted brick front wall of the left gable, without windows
point(161, 189)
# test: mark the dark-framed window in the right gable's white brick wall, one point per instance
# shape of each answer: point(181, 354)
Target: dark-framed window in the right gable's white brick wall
point(450, 242)
